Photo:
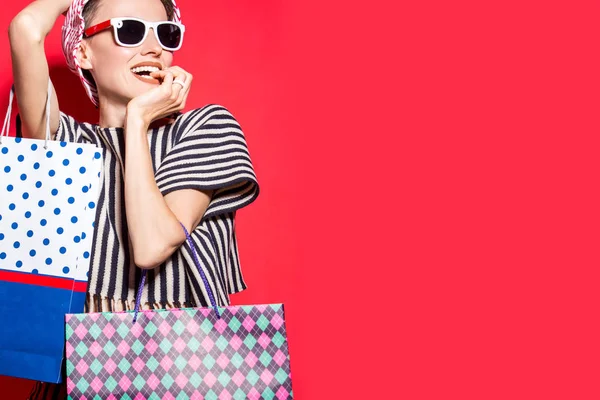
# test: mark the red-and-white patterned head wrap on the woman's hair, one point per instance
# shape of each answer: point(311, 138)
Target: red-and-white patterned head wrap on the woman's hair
point(72, 34)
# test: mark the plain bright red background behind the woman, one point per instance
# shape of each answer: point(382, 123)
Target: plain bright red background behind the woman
point(430, 205)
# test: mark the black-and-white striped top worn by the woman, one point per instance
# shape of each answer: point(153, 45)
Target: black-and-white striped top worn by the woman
point(202, 149)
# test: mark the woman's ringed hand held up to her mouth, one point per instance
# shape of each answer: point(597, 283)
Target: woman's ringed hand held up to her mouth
point(169, 97)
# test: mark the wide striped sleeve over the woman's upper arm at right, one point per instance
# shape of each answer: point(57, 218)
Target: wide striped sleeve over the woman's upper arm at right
point(210, 153)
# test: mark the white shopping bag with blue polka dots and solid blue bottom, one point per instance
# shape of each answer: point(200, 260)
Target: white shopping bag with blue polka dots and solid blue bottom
point(48, 195)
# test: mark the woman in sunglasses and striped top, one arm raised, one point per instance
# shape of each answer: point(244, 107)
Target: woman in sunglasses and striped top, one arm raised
point(160, 167)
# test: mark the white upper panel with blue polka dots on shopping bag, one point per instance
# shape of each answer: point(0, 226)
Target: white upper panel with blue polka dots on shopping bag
point(48, 206)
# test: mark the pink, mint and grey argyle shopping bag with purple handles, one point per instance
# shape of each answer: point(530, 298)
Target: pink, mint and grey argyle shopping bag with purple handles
point(235, 352)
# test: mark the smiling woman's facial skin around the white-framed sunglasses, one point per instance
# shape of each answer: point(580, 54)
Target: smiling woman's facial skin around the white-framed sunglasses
point(111, 64)
